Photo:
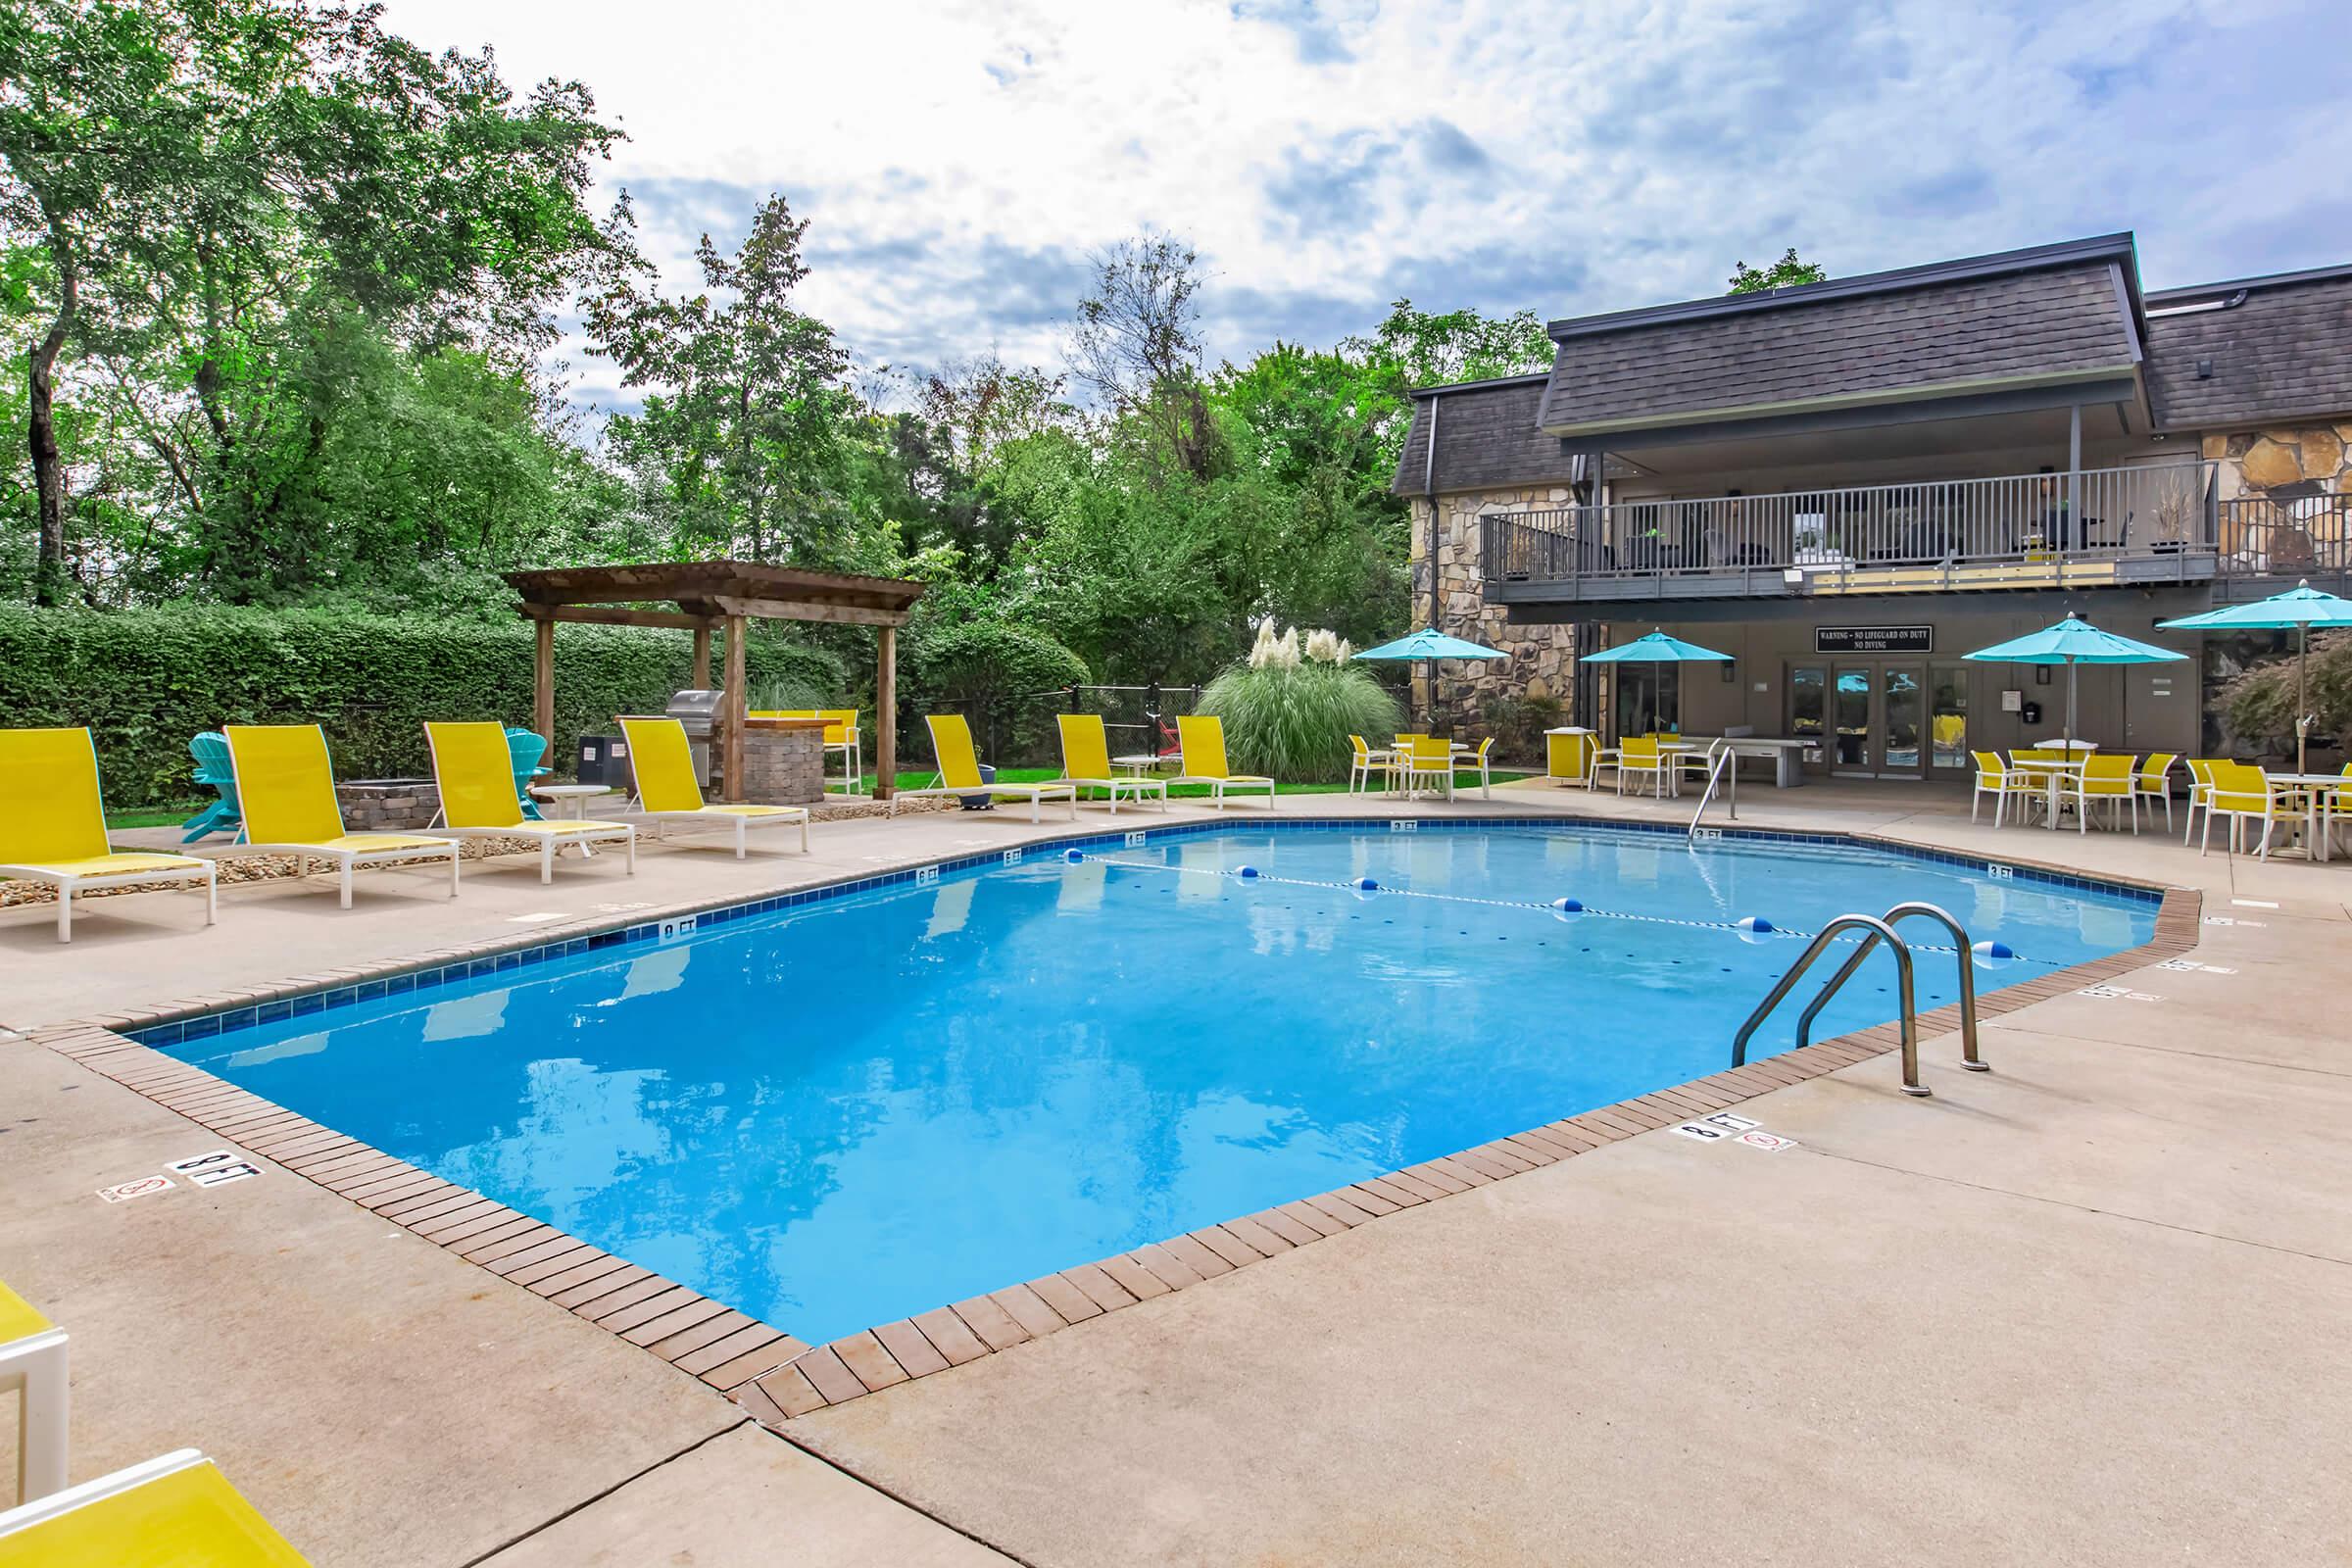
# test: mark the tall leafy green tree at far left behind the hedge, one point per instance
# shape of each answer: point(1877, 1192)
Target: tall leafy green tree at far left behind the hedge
point(229, 194)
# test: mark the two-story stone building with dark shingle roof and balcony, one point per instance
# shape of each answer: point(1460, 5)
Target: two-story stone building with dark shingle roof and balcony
point(1850, 485)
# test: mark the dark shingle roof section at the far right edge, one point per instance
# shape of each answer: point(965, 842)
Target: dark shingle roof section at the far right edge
point(2283, 354)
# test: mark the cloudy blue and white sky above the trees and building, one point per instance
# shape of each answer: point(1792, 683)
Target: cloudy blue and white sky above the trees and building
point(1328, 156)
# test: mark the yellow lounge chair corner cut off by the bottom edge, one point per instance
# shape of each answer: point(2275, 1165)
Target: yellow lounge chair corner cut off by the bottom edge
point(171, 1513)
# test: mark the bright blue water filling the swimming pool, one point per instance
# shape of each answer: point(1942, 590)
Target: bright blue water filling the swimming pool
point(860, 1108)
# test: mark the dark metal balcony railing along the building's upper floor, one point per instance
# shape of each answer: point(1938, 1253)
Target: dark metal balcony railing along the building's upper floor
point(1949, 532)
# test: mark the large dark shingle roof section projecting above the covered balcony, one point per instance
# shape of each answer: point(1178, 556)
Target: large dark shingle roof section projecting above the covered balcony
point(1909, 337)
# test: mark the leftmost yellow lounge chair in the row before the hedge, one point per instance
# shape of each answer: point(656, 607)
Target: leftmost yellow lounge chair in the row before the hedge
point(53, 824)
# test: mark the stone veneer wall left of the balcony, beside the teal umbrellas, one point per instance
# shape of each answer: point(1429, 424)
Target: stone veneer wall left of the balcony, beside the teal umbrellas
point(1542, 657)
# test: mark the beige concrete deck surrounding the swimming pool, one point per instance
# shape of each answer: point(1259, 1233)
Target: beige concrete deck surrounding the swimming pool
point(2085, 1308)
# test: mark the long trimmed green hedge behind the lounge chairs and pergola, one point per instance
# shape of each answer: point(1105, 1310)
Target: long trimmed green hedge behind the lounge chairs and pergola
point(147, 681)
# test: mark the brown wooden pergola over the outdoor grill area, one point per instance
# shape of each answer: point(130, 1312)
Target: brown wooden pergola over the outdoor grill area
point(723, 596)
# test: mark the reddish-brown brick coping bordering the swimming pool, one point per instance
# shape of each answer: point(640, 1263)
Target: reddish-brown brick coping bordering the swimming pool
point(773, 1374)
